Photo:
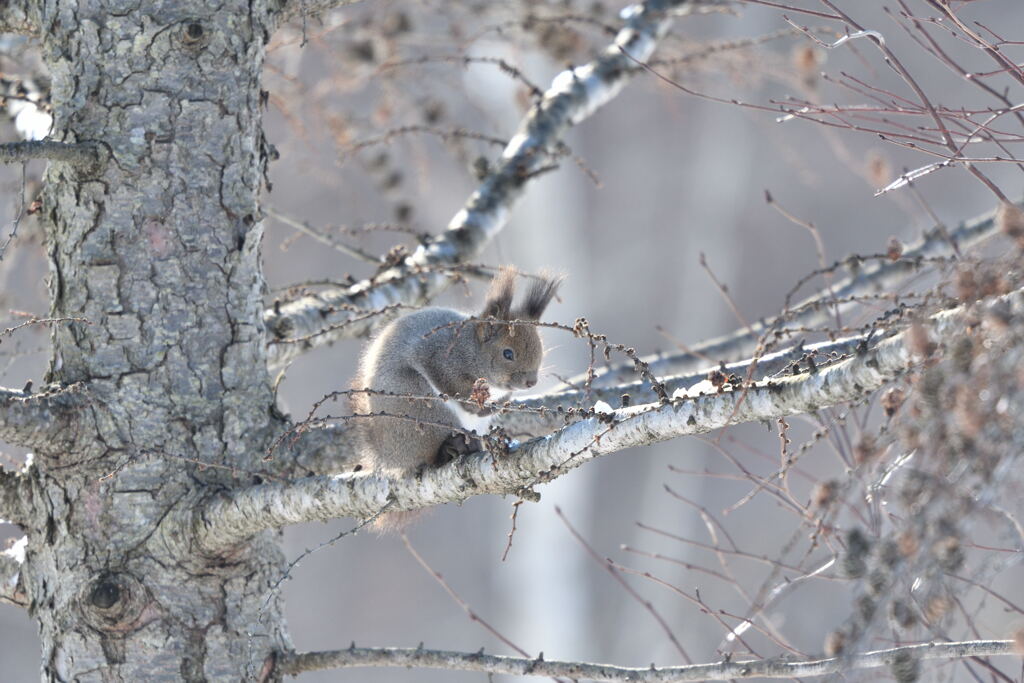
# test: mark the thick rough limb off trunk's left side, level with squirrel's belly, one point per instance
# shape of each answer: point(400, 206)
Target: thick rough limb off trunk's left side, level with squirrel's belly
point(42, 421)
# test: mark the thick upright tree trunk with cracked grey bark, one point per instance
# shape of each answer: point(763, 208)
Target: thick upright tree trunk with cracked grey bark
point(159, 252)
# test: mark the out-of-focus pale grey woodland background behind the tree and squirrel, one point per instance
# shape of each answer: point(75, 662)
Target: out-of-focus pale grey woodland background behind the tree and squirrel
point(376, 112)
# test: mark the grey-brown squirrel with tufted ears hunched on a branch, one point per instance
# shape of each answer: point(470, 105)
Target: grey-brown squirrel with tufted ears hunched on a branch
point(443, 353)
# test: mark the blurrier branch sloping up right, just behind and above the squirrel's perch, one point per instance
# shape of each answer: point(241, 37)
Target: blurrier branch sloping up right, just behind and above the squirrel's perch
point(879, 277)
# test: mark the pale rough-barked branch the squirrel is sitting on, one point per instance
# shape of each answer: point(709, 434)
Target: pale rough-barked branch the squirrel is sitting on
point(233, 518)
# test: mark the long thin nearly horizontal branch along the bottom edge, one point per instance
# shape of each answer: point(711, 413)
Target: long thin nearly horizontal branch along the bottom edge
point(296, 663)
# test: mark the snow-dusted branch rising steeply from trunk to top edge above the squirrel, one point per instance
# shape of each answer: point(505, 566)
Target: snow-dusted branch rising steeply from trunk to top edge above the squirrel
point(575, 95)
